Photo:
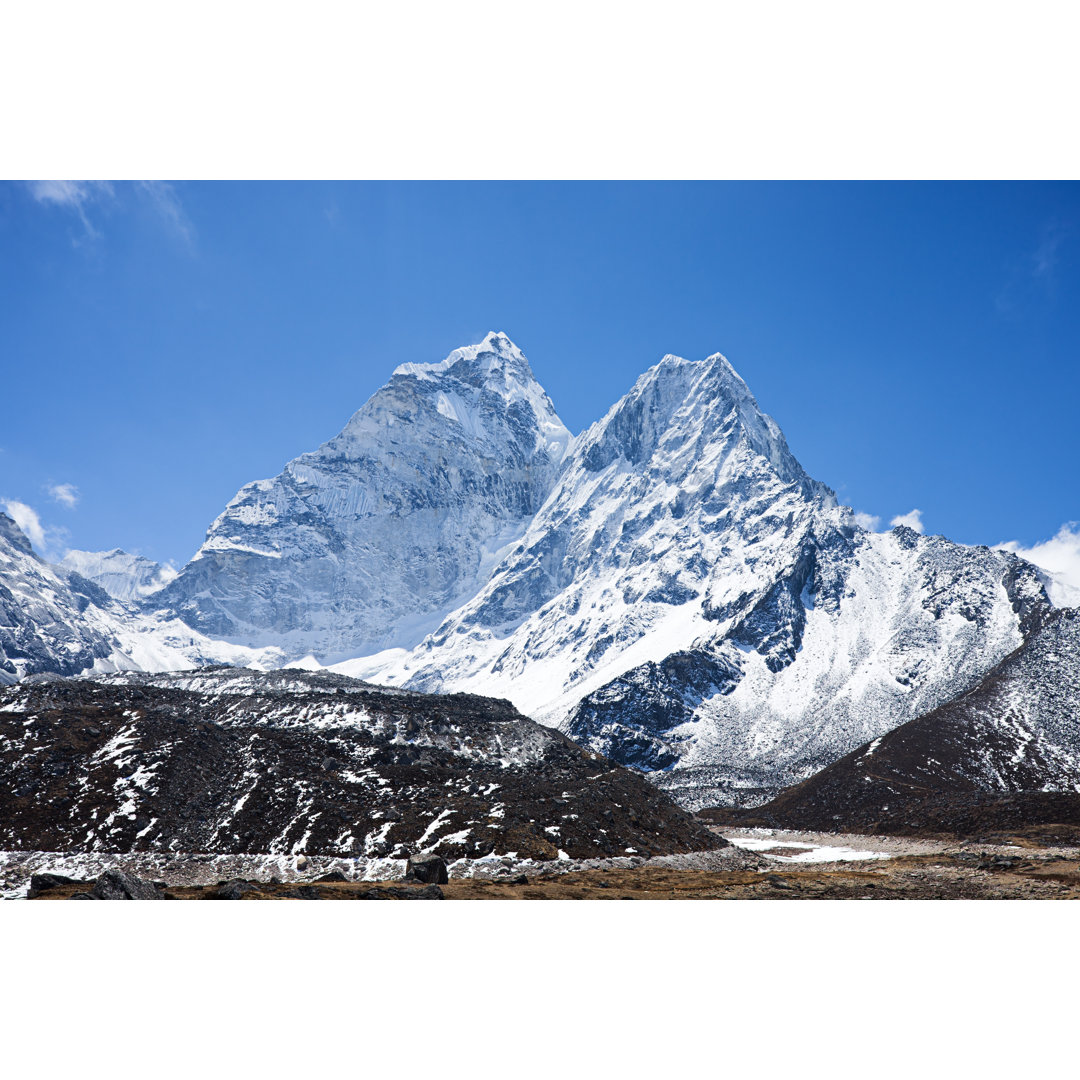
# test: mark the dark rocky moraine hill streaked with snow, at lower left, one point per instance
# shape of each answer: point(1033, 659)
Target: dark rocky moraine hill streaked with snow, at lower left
point(228, 761)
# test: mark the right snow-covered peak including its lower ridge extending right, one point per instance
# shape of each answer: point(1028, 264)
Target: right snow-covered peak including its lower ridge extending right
point(688, 600)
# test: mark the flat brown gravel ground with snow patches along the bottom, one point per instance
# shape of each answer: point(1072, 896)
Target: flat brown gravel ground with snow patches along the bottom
point(898, 869)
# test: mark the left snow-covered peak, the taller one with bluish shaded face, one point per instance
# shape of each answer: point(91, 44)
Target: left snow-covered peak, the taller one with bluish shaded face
point(370, 542)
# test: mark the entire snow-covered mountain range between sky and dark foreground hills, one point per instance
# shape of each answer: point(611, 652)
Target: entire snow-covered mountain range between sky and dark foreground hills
point(669, 588)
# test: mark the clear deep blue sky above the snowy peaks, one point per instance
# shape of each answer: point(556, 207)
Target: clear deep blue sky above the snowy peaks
point(163, 345)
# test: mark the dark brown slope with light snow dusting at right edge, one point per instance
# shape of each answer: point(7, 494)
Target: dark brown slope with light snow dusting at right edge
point(1007, 752)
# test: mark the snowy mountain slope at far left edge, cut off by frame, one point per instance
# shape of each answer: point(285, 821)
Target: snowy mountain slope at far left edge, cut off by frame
point(52, 619)
